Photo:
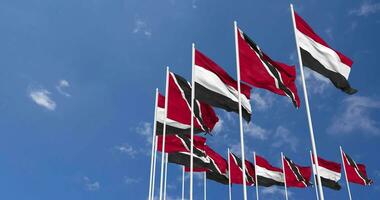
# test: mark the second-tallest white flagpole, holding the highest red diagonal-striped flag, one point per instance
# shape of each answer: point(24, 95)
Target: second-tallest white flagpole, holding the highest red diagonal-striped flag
point(240, 112)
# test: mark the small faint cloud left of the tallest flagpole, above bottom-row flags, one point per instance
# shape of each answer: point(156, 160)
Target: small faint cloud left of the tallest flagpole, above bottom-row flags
point(283, 137)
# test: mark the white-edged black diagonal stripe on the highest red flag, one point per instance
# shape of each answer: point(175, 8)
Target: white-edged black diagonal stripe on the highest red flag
point(273, 69)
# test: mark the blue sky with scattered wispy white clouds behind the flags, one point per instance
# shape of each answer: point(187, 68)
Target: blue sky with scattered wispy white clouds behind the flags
point(77, 88)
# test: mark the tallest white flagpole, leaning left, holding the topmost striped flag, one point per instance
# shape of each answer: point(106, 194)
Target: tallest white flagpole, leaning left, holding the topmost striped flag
point(314, 147)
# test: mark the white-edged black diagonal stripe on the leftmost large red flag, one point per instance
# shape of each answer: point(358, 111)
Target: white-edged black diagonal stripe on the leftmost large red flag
point(186, 88)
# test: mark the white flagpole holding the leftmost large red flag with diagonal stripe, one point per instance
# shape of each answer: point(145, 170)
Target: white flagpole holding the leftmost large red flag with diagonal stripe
point(164, 132)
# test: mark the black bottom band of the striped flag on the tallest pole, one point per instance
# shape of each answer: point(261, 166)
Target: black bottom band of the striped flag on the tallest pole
point(337, 79)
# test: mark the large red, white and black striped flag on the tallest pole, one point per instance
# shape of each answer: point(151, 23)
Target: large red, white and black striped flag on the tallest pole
point(320, 57)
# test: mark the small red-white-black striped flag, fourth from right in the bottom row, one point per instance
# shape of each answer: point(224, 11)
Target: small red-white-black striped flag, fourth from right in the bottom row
point(267, 175)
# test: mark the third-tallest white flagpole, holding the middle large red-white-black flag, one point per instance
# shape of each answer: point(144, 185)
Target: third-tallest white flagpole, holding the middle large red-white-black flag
point(192, 121)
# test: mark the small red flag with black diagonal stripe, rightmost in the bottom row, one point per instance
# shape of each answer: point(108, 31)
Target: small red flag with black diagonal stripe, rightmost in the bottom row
point(356, 173)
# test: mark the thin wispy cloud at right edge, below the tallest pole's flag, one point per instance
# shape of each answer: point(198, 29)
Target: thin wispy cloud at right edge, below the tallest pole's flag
point(355, 115)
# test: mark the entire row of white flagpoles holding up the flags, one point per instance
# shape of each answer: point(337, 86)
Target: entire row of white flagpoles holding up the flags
point(162, 193)
